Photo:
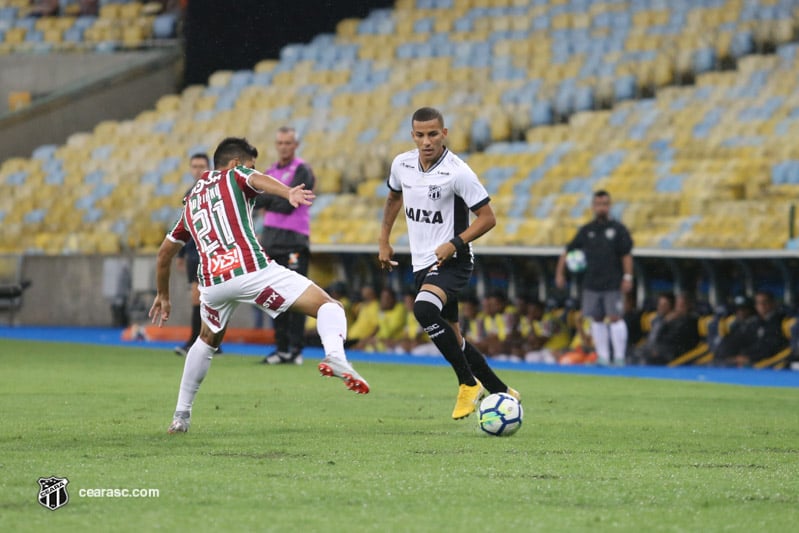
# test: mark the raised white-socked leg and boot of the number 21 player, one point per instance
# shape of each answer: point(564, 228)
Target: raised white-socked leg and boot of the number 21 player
point(331, 323)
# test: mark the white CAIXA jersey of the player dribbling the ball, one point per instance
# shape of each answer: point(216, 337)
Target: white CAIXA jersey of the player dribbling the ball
point(437, 202)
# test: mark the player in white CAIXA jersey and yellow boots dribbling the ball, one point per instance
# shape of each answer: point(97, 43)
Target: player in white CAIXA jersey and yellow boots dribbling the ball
point(438, 190)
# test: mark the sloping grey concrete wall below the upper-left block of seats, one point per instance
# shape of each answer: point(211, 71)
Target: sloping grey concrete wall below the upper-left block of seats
point(108, 88)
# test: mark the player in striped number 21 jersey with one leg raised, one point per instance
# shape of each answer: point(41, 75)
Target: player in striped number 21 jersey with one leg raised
point(235, 269)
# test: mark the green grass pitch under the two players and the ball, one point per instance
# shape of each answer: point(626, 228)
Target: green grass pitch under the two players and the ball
point(279, 448)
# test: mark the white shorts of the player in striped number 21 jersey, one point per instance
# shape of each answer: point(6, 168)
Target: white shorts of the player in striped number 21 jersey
point(273, 290)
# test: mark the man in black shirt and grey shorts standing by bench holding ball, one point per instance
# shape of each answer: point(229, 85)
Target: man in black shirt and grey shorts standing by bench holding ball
point(607, 246)
